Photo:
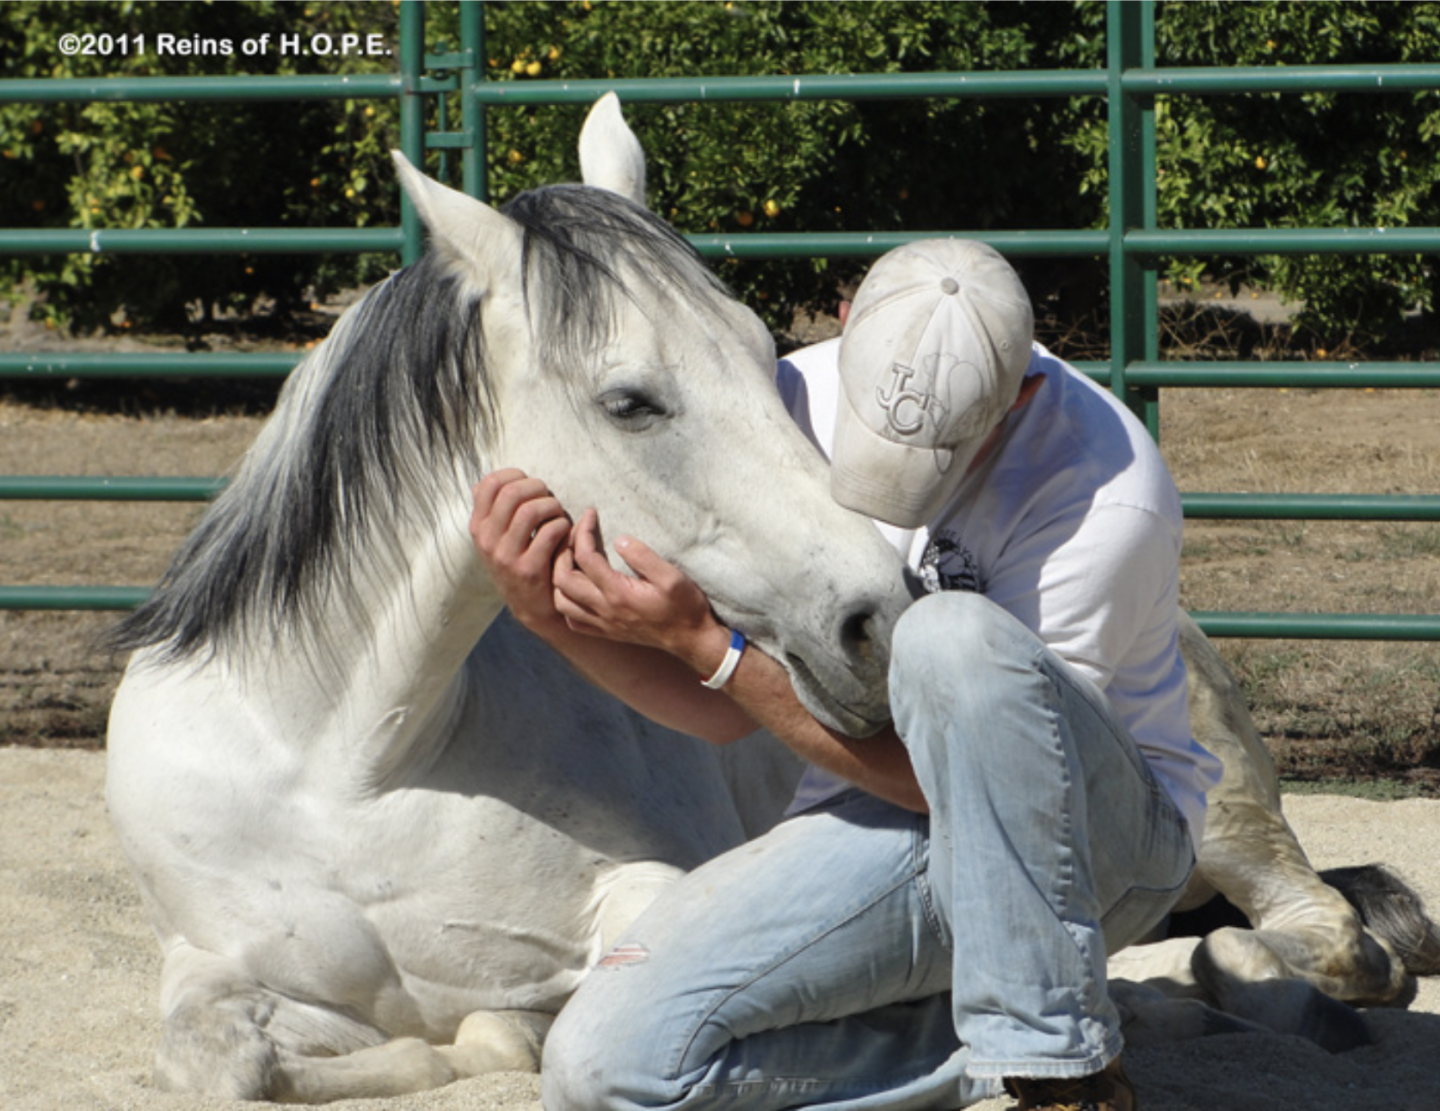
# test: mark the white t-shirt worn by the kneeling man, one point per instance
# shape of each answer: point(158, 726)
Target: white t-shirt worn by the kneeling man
point(1074, 526)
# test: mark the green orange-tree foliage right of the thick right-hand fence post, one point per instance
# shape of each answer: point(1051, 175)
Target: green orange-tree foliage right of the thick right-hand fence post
point(1311, 160)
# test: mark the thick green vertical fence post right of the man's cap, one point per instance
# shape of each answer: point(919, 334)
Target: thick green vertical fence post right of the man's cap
point(1134, 296)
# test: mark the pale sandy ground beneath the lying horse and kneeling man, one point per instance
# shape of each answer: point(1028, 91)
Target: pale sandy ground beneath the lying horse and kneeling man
point(80, 972)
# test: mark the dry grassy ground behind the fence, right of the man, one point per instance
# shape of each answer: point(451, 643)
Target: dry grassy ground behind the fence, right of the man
point(1351, 709)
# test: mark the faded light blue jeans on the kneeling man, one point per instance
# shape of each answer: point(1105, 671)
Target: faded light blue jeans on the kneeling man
point(860, 956)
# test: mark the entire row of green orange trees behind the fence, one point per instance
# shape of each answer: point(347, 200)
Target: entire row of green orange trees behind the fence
point(930, 165)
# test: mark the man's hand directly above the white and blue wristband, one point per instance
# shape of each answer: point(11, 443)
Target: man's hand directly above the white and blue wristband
point(659, 607)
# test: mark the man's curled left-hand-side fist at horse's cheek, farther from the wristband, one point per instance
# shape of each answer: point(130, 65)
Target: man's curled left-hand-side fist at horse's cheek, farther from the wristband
point(519, 527)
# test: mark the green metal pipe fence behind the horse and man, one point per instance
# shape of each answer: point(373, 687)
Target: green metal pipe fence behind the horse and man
point(1133, 244)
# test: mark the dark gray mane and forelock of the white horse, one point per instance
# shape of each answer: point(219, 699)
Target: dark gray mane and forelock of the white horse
point(374, 427)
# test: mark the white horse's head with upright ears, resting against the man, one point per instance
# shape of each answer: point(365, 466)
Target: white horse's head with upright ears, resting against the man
point(623, 375)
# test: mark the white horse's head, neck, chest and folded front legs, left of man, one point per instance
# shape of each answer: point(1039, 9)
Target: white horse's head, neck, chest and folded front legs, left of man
point(378, 850)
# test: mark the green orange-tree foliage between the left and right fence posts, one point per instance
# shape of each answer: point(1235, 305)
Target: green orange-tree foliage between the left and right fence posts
point(810, 166)
